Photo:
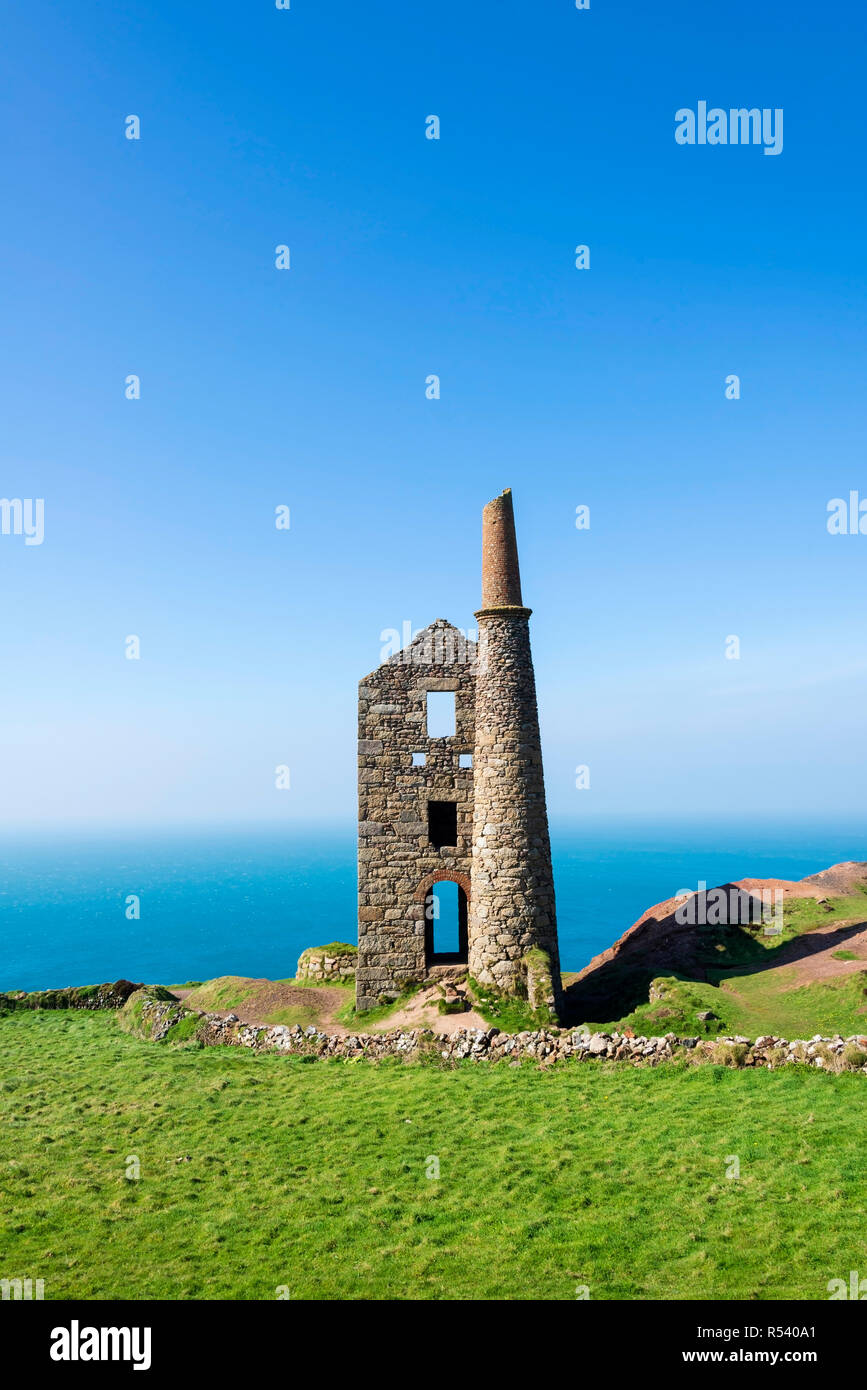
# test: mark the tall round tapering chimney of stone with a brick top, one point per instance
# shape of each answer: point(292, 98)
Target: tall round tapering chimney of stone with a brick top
point(512, 908)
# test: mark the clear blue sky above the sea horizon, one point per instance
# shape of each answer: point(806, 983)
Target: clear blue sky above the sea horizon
point(306, 387)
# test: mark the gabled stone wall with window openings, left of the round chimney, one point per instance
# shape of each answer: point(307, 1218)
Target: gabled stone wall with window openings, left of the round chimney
point(398, 865)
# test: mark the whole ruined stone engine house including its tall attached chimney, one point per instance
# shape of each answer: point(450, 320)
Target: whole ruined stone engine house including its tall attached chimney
point(465, 807)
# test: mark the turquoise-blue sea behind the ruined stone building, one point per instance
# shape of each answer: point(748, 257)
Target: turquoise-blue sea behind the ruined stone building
point(248, 903)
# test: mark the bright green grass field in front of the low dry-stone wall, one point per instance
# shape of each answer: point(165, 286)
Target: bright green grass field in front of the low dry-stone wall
point(266, 1172)
